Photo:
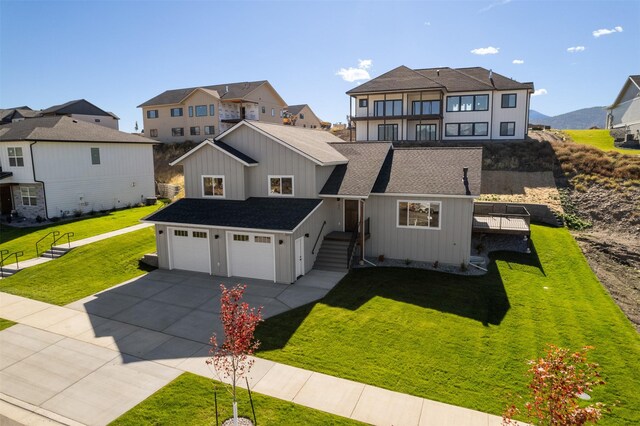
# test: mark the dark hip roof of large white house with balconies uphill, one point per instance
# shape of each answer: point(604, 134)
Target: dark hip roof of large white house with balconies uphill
point(403, 78)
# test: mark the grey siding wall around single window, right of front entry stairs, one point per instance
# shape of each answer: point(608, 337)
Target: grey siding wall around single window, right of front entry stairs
point(451, 244)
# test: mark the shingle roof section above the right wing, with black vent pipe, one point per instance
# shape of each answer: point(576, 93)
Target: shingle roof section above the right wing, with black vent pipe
point(430, 171)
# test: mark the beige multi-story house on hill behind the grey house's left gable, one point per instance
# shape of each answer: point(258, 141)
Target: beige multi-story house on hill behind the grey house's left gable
point(196, 113)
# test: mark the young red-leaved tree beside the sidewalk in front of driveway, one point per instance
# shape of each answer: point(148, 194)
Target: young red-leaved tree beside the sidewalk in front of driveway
point(230, 359)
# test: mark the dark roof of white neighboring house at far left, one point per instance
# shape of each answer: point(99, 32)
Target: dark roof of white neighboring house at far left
point(65, 129)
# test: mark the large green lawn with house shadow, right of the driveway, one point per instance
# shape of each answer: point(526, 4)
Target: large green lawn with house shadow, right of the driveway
point(465, 340)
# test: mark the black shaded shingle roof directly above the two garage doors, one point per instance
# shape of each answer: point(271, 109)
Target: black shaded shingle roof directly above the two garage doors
point(277, 214)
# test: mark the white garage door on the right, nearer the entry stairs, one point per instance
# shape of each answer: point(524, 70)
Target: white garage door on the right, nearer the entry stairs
point(251, 255)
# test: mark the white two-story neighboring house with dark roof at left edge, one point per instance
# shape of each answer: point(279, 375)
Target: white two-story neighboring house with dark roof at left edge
point(56, 166)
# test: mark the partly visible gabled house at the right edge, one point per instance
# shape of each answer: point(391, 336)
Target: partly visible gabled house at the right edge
point(624, 113)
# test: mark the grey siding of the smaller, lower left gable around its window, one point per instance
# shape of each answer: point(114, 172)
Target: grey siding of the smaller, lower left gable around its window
point(210, 161)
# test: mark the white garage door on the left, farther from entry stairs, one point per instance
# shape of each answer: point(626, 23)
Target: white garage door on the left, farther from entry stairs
point(189, 249)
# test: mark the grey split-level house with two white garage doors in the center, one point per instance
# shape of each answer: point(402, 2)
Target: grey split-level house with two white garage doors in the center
point(272, 202)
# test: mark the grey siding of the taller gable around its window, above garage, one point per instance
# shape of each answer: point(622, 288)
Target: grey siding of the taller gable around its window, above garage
point(274, 159)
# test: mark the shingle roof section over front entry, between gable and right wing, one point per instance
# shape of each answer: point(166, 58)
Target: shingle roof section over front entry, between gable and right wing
point(358, 176)
